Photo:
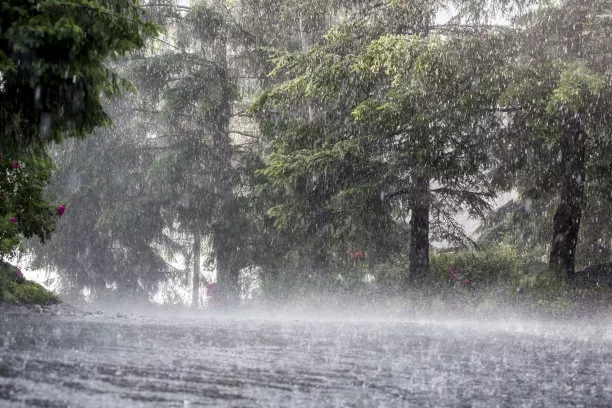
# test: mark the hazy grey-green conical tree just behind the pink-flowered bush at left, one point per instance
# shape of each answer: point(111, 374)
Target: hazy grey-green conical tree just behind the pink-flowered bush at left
point(112, 240)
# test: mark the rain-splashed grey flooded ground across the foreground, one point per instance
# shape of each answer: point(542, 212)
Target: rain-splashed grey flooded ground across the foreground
point(245, 362)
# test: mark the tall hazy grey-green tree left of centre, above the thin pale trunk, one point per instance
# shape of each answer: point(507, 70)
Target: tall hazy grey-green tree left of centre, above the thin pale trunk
point(194, 84)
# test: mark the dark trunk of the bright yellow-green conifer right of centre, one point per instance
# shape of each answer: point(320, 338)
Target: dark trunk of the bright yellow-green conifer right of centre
point(419, 233)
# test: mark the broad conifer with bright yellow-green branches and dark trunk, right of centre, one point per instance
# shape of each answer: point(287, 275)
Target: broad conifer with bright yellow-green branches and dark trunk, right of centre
point(398, 126)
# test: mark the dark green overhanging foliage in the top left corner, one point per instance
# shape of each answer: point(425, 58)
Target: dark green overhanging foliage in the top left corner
point(52, 59)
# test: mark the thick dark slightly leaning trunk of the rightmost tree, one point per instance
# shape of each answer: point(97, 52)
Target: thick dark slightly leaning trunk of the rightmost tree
point(566, 222)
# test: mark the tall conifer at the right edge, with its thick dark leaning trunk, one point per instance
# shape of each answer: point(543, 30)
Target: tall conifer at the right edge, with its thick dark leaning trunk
point(559, 102)
